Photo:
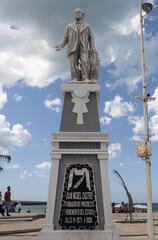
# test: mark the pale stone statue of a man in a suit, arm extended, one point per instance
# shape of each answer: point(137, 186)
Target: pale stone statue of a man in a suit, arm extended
point(84, 61)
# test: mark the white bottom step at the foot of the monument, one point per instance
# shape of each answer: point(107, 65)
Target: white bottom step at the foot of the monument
point(78, 235)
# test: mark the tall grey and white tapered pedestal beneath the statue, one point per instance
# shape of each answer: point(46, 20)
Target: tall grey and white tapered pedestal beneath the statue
point(79, 203)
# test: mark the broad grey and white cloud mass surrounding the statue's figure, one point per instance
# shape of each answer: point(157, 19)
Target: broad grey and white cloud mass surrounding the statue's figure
point(28, 37)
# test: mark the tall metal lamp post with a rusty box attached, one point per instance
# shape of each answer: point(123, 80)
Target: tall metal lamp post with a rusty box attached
point(144, 149)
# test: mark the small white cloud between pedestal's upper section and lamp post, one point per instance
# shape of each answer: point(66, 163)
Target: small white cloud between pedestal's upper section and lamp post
point(118, 108)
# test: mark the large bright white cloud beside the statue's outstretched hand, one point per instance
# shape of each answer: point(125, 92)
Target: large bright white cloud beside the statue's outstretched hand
point(28, 57)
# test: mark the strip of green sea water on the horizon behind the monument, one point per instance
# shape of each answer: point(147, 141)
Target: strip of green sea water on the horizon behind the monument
point(41, 208)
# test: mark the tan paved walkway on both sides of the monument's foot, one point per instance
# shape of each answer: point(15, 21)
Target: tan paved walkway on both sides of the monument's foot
point(26, 227)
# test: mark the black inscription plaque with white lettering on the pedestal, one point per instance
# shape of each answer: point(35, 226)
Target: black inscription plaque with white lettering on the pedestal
point(78, 206)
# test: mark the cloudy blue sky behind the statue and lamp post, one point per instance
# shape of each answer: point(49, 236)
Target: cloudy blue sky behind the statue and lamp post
point(31, 74)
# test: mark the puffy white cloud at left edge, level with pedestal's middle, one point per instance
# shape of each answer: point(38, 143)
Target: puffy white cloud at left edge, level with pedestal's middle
point(15, 136)
